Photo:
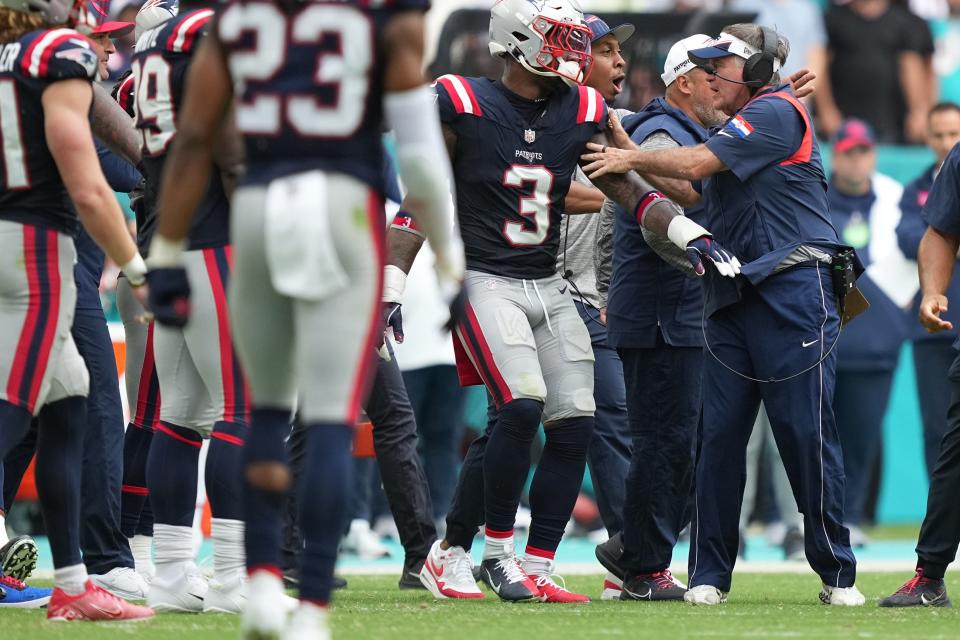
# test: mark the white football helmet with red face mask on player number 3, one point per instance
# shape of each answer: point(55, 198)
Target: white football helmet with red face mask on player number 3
point(547, 37)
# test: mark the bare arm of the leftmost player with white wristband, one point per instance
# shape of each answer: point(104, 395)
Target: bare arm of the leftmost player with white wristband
point(66, 105)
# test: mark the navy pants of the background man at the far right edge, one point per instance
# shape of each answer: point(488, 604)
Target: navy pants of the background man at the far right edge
point(931, 363)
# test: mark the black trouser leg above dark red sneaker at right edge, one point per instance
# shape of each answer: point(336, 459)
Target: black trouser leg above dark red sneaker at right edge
point(940, 533)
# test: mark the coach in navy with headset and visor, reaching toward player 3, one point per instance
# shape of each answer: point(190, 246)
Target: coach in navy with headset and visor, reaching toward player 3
point(771, 332)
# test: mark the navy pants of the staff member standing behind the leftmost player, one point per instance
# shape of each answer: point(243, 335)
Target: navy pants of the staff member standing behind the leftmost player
point(104, 546)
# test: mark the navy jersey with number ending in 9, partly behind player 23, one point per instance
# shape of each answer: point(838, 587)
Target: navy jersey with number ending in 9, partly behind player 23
point(160, 63)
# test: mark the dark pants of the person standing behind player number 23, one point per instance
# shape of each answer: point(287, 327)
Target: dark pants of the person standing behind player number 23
point(404, 482)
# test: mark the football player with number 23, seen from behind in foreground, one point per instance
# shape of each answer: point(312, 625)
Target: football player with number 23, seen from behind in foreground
point(315, 83)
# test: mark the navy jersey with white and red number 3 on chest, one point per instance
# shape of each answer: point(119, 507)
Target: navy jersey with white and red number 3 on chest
point(513, 165)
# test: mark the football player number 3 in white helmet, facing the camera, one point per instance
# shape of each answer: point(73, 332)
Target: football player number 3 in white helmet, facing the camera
point(514, 145)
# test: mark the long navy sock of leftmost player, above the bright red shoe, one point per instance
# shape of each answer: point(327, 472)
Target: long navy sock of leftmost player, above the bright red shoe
point(58, 471)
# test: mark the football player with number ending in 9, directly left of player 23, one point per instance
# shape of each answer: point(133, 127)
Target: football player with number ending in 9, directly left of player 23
point(203, 388)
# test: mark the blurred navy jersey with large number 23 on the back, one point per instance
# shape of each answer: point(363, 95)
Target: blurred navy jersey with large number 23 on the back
point(310, 84)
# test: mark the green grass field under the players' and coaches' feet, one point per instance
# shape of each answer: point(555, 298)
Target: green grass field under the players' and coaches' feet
point(761, 606)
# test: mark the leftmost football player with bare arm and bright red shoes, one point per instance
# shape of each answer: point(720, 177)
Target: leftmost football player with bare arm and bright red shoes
point(48, 156)
